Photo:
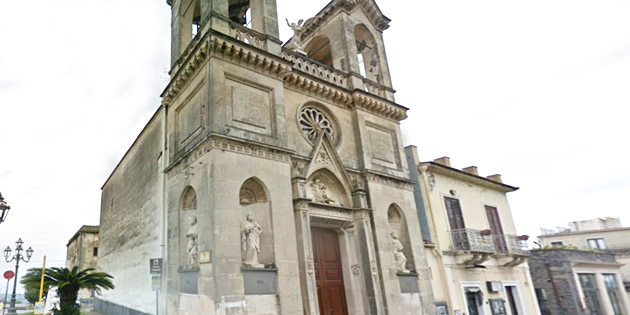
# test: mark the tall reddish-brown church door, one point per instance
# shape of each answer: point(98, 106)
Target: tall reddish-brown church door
point(331, 293)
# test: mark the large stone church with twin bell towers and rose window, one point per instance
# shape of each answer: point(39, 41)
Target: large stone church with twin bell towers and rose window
point(272, 179)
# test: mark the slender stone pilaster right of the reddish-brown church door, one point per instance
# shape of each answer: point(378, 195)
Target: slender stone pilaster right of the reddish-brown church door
point(368, 257)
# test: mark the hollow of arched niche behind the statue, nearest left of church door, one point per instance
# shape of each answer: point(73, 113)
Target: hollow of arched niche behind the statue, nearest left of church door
point(254, 197)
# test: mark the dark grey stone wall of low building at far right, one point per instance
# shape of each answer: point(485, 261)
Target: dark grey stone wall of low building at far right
point(552, 271)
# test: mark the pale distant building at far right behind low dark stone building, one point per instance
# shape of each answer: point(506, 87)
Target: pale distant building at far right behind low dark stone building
point(600, 234)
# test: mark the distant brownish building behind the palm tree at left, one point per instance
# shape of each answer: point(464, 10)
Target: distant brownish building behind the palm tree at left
point(82, 251)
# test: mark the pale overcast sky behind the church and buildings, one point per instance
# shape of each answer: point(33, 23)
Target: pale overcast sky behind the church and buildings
point(538, 91)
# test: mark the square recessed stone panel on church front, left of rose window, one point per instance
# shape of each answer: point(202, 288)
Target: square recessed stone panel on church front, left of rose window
point(251, 106)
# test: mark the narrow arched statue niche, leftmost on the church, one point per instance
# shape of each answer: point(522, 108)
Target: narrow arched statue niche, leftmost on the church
point(188, 224)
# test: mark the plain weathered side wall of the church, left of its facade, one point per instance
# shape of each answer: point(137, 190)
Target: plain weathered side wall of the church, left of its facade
point(131, 221)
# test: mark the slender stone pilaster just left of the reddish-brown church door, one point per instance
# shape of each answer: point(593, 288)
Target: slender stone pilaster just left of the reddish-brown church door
point(305, 256)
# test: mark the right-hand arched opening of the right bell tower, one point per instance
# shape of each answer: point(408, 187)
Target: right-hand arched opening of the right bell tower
point(367, 53)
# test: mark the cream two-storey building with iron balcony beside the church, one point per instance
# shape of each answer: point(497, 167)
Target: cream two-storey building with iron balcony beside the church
point(476, 258)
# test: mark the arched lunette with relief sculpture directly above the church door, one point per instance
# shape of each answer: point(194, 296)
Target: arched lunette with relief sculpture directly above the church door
point(325, 188)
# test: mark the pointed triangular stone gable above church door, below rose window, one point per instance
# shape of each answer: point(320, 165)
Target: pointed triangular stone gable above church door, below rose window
point(324, 156)
